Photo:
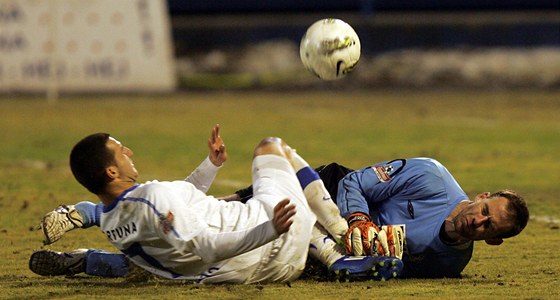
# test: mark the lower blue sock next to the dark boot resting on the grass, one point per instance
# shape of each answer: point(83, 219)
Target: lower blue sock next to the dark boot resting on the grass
point(106, 264)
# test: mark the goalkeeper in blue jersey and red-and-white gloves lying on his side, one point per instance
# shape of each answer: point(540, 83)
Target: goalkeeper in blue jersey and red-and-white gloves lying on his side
point(441, 222)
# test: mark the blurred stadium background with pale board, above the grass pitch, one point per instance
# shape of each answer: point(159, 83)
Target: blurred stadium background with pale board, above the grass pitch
point(140, 45)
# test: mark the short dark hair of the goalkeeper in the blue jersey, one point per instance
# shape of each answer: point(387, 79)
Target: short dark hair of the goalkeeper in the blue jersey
point(517, 209)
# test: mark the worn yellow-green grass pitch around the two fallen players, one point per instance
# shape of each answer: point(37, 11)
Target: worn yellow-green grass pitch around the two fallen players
point(488, 140)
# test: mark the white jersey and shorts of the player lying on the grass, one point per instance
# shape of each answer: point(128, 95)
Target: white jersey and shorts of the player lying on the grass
point(175, 230)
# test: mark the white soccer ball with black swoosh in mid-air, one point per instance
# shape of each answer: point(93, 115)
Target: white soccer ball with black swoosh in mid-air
point(330, 49)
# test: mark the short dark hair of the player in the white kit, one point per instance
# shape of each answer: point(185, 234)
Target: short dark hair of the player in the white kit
point(88, 160)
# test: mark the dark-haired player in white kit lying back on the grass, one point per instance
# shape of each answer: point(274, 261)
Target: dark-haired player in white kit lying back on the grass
point(174, 230)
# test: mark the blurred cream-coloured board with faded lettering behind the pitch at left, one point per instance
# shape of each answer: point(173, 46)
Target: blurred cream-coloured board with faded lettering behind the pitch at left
point(85, 46)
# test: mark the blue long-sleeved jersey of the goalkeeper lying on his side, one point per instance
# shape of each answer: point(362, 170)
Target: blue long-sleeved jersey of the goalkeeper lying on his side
point(417, 192)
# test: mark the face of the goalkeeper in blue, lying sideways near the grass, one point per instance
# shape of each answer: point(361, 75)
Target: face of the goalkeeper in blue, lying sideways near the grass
point(484, 218)
